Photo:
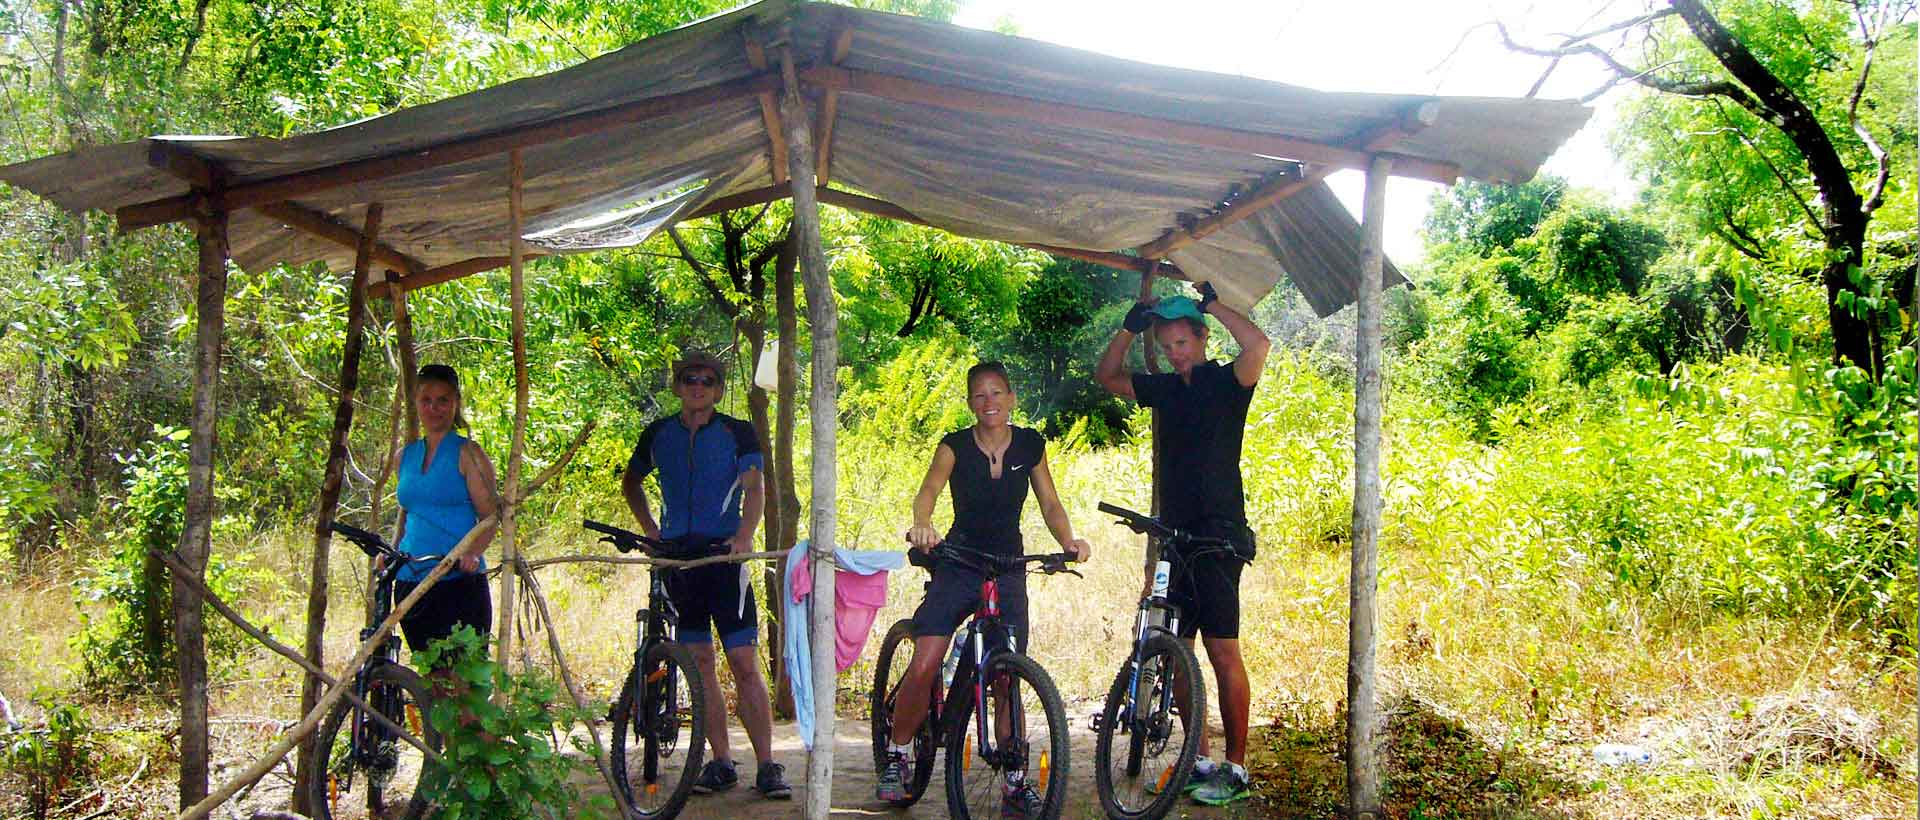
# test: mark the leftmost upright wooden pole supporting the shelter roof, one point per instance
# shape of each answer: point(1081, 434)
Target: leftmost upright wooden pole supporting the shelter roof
point(189, 635)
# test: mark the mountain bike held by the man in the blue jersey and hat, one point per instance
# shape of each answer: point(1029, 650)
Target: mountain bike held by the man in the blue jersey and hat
point(660, 723)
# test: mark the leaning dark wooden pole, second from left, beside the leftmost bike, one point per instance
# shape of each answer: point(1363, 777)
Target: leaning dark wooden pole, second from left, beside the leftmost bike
point(333, 479)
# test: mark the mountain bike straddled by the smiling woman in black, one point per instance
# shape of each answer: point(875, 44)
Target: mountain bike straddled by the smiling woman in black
point(1020, 735)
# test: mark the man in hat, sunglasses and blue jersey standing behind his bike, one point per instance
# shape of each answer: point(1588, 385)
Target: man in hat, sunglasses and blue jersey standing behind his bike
point(709, 473)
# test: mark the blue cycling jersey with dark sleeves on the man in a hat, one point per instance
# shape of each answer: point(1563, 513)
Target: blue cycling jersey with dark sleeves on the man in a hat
point(700, 473)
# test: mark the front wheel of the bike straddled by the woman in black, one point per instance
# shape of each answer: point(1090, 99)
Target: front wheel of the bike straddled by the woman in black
point(1019, 767)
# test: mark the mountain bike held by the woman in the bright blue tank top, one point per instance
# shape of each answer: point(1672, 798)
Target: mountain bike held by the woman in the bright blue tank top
point(358, 752)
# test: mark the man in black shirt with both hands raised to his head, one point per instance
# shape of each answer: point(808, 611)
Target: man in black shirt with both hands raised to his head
point(1203, 416)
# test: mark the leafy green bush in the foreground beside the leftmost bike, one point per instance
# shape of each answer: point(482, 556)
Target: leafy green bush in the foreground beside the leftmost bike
point(500, 758)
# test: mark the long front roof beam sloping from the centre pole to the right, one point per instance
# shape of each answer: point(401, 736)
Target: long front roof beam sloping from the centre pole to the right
point(969, 101)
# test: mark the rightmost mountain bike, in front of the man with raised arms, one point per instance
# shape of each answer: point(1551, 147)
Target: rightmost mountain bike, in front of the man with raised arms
point(1149, 731)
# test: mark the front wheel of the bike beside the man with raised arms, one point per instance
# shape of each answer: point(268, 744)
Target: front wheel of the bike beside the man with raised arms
point(1147, 744)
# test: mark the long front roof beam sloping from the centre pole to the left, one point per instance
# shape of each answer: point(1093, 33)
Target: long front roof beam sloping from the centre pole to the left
point(295, 185)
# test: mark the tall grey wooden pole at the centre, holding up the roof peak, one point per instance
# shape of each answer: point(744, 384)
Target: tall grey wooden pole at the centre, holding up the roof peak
point(823, 314)
